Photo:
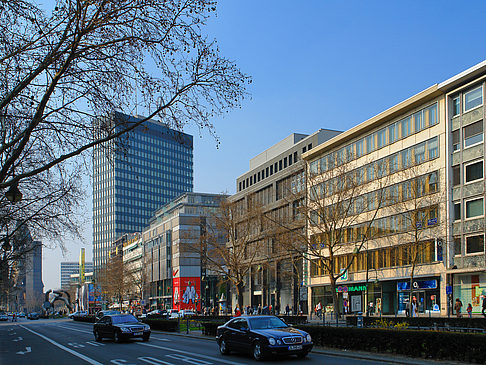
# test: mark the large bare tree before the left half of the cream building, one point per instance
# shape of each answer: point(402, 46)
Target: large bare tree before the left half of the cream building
point(338, 207)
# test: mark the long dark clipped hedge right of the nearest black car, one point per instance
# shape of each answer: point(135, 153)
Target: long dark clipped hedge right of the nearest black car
point(465, 347)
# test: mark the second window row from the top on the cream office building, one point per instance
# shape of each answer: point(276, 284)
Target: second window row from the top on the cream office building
point(389, 165)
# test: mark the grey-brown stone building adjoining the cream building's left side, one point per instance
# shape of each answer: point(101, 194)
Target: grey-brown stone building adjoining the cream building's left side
point(270, 184)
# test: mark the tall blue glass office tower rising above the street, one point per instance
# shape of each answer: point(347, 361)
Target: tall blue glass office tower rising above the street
point(154, 166)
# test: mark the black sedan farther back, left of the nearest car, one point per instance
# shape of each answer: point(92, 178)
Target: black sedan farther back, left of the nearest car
point(120, 327)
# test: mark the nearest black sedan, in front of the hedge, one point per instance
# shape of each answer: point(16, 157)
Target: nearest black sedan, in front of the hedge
point(262, 336)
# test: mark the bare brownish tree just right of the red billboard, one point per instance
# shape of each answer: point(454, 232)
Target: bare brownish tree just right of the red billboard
point(228, 246)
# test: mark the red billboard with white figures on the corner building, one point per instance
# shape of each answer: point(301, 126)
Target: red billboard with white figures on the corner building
point(186, 293)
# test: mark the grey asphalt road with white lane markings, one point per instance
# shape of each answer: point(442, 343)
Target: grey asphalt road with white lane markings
point(50, 341)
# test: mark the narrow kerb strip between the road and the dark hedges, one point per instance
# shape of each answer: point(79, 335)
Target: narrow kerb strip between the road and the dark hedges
point(360, 355)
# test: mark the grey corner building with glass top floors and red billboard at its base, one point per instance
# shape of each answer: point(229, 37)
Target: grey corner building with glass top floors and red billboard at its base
point(176, 275)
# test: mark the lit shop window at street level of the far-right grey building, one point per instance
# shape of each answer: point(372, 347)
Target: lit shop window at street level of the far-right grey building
point(470, 289)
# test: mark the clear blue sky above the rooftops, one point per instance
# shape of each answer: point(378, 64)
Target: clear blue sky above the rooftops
point(320, 64)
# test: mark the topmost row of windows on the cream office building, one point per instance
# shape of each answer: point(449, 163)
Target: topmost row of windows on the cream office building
point(401, 129)
